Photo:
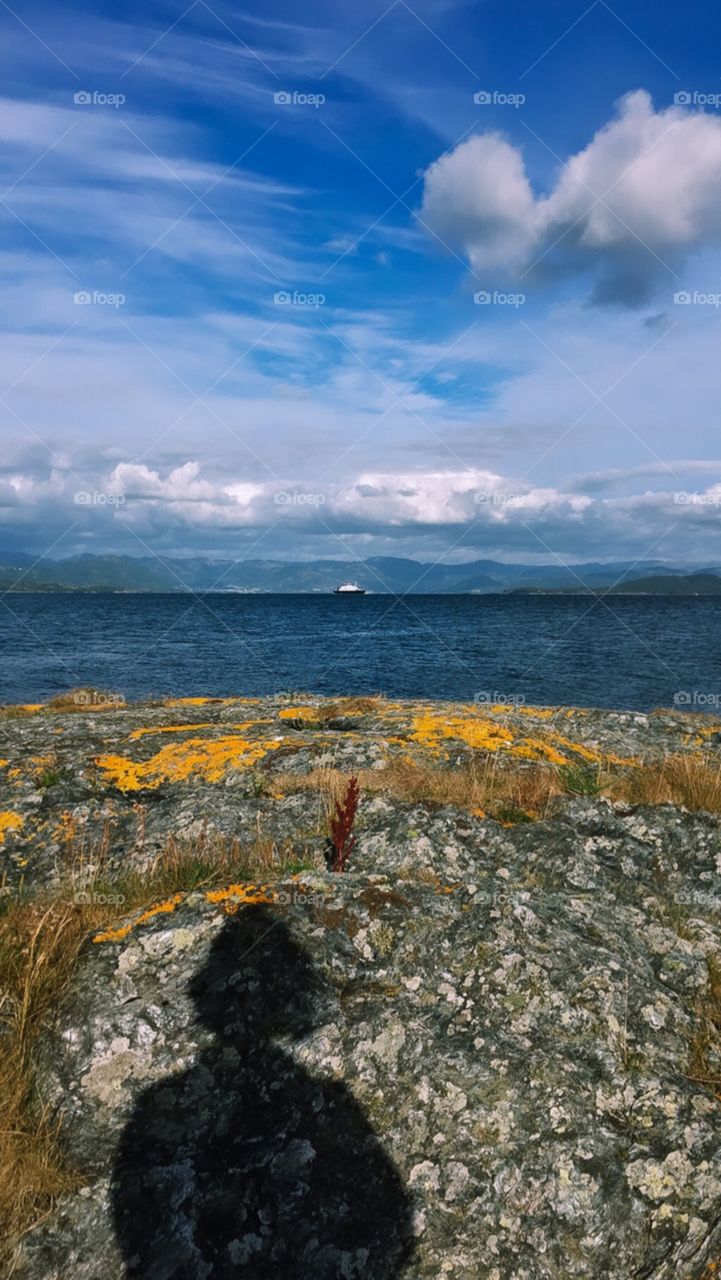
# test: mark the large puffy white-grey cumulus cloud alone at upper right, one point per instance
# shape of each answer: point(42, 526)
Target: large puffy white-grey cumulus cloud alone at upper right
point(629, 208)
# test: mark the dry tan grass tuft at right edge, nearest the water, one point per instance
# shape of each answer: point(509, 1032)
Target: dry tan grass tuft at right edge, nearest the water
point(692, 781)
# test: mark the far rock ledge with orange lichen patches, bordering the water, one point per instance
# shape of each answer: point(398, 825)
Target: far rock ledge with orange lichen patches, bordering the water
point(125, 779)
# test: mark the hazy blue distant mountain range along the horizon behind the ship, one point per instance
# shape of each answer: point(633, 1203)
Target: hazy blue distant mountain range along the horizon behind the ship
point(381, 574)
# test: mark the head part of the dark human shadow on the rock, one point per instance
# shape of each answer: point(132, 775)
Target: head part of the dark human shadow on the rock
point(258, 979)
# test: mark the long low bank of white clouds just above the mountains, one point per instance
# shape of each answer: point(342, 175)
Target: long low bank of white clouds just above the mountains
point(409, 511)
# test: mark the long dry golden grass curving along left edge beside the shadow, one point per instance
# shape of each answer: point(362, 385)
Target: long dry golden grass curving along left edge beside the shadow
point(40, 941)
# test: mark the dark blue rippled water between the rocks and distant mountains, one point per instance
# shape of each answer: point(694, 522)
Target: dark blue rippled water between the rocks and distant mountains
point(635, 652)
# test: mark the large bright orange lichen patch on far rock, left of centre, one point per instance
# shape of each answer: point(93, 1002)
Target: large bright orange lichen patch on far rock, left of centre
point(198, 757)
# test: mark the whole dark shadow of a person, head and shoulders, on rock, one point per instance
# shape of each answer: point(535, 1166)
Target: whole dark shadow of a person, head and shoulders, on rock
point(248, 1165)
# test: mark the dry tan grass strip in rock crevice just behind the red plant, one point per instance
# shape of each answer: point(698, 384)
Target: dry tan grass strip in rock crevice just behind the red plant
point(483, 788)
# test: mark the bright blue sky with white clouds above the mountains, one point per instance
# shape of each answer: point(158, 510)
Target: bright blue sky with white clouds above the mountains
point(276, 285)
